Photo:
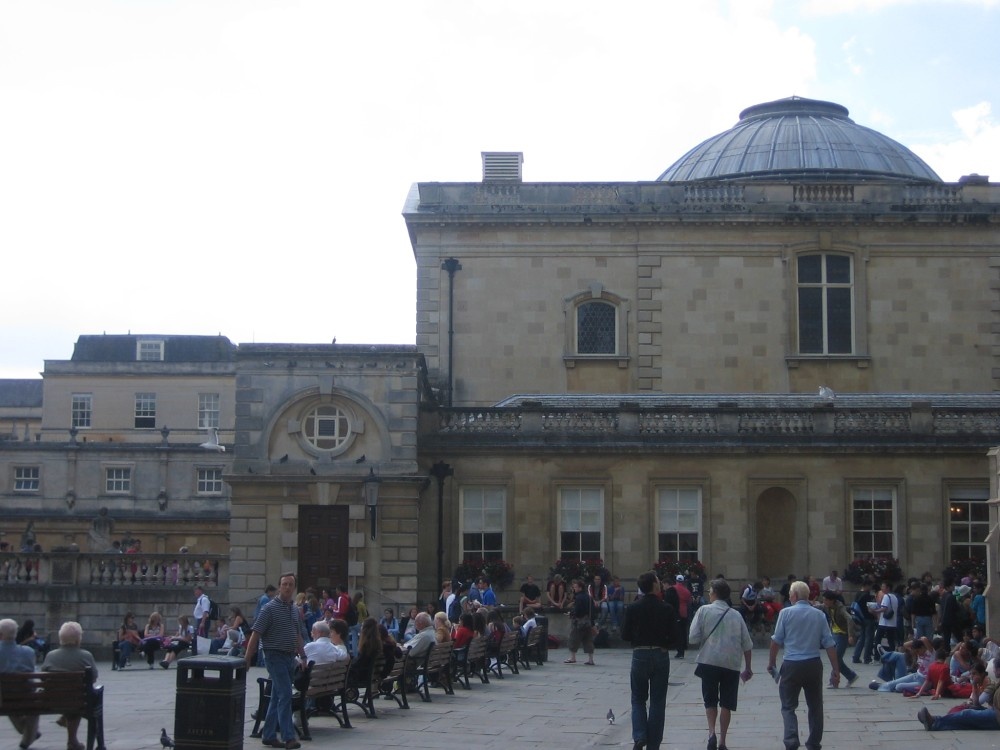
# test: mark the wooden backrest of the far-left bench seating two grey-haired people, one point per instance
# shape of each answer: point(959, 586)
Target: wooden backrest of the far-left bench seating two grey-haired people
point(36, 693)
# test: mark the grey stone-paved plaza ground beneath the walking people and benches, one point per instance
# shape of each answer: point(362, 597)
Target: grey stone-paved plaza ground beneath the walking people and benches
point(557, 705)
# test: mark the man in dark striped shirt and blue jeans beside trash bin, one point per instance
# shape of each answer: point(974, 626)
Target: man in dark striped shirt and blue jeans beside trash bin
point(278, 629)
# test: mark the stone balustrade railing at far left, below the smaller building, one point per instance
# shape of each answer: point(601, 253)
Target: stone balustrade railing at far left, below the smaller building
point(108, 569)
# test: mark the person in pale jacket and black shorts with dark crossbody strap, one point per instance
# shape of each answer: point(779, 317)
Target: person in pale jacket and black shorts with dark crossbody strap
point(725, 642)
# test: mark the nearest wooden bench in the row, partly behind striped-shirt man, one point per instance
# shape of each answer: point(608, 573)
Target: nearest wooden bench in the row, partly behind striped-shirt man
point(325, 683)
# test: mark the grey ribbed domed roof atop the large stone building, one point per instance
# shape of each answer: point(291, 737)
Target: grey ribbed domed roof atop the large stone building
point(798, 138)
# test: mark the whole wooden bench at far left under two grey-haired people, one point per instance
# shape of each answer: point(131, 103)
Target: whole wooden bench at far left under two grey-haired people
point(45, 693)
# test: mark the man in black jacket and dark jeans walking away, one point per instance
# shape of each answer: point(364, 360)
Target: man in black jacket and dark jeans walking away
point(651, 626)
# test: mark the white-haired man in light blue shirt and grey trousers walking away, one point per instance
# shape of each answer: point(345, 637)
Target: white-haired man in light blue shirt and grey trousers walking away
point(803, 631)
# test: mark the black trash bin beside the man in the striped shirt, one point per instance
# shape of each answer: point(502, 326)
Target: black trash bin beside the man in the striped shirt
point(211, 697)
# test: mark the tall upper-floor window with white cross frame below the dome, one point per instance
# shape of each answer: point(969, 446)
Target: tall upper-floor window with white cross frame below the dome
point(826, 304)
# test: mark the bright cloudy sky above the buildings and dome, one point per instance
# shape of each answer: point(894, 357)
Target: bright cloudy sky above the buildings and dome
point(239, 168)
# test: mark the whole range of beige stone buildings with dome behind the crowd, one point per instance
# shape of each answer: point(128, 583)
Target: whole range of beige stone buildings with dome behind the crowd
point(778, 357)
